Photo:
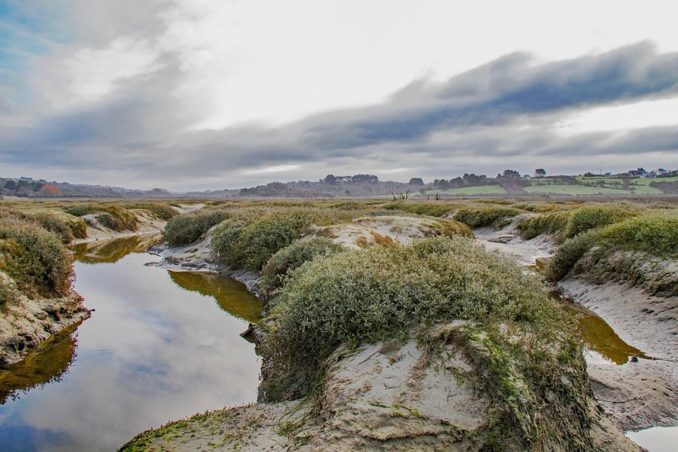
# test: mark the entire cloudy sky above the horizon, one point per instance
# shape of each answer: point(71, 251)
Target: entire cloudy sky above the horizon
point(213, 94)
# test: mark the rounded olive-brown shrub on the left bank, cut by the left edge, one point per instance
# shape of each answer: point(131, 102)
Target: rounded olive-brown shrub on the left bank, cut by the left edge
point(34, 258)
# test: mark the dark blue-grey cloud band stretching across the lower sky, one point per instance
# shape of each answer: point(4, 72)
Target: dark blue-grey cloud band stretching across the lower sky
point(506, 108)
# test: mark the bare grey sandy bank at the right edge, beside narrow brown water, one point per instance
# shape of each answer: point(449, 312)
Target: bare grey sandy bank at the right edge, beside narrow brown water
point(637, 394)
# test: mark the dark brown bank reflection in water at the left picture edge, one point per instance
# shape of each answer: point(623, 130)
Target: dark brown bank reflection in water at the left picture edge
point(46, 365)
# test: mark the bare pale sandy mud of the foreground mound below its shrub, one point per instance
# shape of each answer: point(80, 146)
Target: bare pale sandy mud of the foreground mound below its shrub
point(384, 396)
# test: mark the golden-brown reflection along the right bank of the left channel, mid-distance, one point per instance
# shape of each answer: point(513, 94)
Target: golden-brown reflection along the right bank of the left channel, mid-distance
point(231, 296)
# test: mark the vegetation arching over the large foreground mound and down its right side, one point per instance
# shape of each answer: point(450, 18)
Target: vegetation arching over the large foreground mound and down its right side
point(525, 352)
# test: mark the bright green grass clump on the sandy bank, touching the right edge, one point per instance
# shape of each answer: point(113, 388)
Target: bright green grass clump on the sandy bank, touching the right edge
point(656, 235)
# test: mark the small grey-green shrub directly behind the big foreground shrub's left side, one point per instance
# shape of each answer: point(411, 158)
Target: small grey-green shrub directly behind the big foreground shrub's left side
point(275, 271)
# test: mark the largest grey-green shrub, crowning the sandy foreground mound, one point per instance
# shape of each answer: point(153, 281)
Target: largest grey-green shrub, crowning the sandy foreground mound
point(382, 292)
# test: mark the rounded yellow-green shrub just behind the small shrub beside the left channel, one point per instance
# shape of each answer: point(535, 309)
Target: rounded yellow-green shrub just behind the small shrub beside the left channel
point(263, 238)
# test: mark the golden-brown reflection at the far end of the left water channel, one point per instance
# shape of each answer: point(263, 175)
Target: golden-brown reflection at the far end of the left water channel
point(111, 251)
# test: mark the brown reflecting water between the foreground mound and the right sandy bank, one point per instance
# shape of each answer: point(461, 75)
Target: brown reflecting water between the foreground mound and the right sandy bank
point(599, 337)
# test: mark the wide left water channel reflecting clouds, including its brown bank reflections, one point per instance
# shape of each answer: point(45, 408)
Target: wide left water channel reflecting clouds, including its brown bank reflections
point(159, 346)
